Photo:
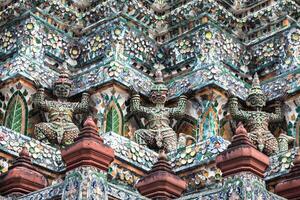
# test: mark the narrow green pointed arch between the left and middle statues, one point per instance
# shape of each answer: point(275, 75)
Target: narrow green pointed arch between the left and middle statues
point(114, 118)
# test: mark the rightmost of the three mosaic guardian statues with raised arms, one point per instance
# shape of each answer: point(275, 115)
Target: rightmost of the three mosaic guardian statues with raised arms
point(256, 120)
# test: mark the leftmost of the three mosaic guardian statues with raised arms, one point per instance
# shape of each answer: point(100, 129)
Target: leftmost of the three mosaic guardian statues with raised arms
point(60, 129)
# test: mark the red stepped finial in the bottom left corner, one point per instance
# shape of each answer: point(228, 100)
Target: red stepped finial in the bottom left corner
point(22, 177)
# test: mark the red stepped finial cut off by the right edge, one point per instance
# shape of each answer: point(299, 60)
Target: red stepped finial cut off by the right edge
point(290, 187)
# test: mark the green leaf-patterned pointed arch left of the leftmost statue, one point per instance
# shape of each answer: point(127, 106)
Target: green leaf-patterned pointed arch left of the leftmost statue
point(16, 115)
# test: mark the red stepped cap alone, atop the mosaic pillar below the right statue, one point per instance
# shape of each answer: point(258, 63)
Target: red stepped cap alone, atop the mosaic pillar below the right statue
point(242, 156)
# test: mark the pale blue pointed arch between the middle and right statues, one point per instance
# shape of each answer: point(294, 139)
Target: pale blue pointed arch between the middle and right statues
point(208, 124)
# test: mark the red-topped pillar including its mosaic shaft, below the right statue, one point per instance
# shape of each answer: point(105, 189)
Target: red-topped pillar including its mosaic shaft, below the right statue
point(243, 168)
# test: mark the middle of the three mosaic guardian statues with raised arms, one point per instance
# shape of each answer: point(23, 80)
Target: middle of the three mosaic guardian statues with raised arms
point(157, 133)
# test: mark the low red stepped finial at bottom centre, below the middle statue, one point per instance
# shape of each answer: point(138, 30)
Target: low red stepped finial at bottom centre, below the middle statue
point(161, 182)
